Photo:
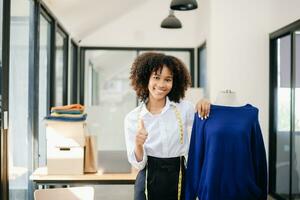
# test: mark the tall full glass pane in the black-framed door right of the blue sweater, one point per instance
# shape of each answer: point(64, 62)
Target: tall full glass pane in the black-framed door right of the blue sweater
point(283, 116)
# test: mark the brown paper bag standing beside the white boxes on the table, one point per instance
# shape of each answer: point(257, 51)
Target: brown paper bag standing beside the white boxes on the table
point(90, 155)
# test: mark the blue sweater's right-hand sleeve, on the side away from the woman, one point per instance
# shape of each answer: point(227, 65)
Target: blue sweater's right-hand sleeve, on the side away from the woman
point(259, 159)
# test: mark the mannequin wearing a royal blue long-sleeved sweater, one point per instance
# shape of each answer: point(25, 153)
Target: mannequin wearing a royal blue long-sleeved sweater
point(230, 142)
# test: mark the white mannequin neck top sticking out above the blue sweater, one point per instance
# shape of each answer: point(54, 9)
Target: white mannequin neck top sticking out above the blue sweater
point(227, 98)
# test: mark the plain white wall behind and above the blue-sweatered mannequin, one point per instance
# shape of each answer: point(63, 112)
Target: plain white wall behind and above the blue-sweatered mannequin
point(238, 48)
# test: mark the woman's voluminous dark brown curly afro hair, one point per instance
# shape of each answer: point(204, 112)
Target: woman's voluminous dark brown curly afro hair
point(149, 62)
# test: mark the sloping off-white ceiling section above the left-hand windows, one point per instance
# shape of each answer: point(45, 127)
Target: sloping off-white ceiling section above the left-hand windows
point(82, 18)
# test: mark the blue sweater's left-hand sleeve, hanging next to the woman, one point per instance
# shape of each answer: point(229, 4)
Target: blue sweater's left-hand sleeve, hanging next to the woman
point(195, 159)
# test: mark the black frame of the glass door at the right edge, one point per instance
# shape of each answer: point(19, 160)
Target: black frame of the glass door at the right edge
point(273, 103)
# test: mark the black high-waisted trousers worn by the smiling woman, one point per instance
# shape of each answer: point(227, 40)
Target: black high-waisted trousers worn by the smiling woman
point(162, 179)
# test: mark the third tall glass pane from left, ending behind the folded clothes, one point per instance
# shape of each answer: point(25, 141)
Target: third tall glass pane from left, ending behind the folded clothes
point(59, 68)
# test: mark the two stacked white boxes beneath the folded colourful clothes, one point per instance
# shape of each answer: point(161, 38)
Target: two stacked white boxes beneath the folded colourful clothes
point(65, 146)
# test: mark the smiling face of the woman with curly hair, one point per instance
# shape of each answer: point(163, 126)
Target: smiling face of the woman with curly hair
point(160, 84)
